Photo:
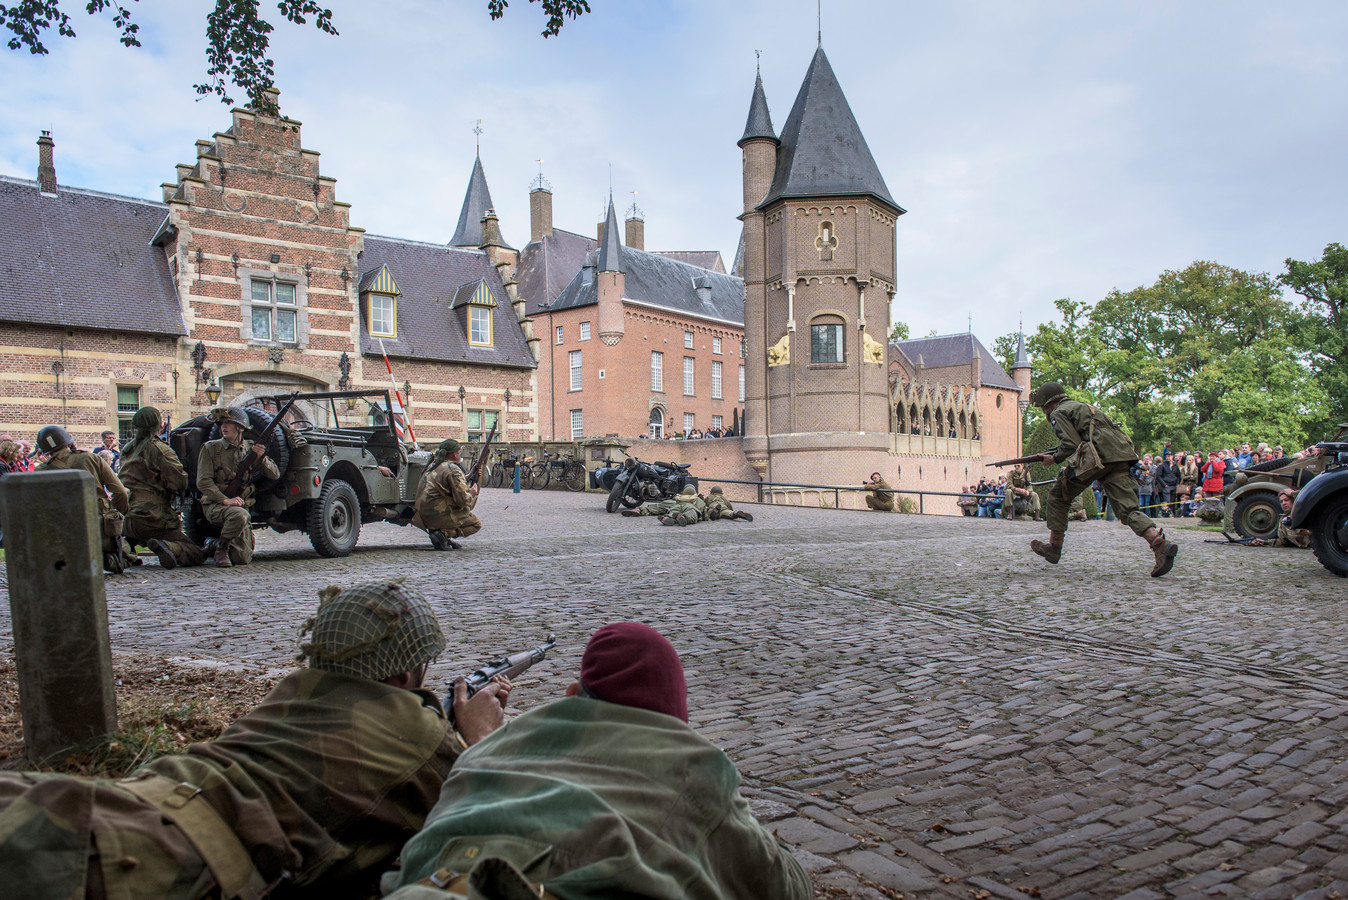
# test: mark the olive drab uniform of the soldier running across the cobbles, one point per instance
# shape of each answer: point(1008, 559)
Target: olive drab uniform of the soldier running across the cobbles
point(1072, 422)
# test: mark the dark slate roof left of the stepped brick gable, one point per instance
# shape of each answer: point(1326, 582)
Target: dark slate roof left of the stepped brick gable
point(83, 259)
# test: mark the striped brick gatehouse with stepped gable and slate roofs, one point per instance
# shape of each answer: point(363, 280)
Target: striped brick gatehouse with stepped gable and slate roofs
point(247, 278)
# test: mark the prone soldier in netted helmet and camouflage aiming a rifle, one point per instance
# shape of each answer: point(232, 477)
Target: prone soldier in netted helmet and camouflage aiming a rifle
point(315, 792)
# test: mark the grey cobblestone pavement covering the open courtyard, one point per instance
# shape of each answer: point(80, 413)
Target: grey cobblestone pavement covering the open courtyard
point(917, 704)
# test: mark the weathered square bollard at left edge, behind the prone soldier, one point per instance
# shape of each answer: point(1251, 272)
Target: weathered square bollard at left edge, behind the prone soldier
point(53, 549)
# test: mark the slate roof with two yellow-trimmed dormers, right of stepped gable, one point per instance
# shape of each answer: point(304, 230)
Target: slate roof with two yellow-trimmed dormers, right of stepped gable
point(429, 277)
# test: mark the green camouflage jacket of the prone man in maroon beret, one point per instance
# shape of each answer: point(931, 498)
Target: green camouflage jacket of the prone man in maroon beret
point(595, 800)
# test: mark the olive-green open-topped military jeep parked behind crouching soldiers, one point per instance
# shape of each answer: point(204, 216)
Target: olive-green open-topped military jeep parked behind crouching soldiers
point(330, 482)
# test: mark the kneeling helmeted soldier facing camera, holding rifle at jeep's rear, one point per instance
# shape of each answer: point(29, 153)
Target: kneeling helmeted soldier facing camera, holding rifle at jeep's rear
point(216, 468)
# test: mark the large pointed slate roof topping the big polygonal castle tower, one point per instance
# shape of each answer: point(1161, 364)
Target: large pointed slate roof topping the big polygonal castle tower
point(823, 152)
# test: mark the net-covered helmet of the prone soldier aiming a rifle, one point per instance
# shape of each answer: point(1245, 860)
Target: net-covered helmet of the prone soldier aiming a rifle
point(374, 631)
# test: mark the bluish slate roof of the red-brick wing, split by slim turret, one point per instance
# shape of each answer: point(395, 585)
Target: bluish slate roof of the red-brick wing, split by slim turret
point(664, 282)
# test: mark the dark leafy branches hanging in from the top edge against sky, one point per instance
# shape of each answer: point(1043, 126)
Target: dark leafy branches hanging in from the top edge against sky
point(237, 36)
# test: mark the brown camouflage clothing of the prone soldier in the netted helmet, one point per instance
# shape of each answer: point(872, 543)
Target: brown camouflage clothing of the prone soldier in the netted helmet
point(321, 785)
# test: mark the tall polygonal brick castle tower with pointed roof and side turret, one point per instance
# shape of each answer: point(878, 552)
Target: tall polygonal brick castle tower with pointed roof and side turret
point(819, 277)
